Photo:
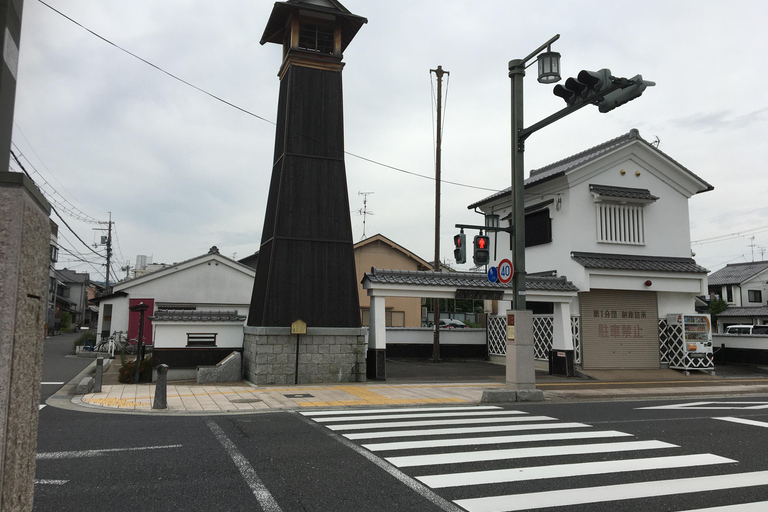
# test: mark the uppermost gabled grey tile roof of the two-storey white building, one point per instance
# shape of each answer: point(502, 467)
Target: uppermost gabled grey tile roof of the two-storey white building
point(573, 162)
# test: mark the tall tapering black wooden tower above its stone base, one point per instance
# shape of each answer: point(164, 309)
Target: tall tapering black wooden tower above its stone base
point(306, 267)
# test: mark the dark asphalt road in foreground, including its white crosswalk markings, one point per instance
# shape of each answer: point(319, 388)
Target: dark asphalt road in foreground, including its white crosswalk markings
point(682, 456)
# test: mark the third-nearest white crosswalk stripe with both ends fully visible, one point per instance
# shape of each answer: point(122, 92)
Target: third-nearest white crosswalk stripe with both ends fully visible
point(478, 441)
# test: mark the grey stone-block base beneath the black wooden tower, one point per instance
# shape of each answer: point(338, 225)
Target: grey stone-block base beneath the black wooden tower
point(326, 355)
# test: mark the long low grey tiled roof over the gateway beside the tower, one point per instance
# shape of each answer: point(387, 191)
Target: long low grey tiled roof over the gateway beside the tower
point(463, 280)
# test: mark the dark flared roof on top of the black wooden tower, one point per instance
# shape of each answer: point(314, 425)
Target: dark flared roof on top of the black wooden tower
point(281, 13)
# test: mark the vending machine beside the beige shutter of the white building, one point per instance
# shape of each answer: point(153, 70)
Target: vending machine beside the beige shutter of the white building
point(693, 351)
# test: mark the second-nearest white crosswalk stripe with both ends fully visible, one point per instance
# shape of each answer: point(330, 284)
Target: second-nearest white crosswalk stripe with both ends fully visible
point(520, 453)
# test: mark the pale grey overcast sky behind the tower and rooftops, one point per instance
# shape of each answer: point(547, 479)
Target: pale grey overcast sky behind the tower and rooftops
point(181, 171)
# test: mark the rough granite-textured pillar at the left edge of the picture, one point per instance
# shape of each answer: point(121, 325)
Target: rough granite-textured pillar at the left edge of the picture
point(25, 234)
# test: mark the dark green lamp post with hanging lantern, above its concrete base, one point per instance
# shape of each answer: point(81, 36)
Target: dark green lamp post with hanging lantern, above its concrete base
point(549, 72)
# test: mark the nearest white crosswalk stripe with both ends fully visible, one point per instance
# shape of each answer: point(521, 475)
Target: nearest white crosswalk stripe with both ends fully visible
point(569, 470)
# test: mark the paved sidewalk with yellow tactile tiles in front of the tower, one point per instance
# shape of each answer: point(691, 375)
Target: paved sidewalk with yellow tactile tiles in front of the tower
point(187, 397)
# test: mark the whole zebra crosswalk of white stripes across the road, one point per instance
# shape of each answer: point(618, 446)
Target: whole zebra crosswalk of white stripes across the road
point(488, 459)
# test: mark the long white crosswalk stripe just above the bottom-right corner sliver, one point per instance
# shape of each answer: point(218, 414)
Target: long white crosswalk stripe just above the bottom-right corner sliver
point(619, 492)
